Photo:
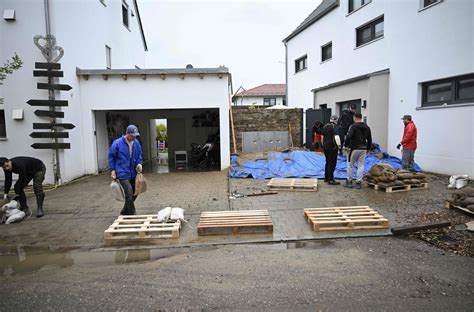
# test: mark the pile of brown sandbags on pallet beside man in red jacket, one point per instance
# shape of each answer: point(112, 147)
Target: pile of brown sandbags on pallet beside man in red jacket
point(385, 175)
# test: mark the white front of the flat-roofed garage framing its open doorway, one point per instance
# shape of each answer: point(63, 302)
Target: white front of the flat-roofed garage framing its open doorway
point(155, 93)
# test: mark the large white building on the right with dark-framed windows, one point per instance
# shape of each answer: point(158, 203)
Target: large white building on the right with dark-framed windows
point(392, 58)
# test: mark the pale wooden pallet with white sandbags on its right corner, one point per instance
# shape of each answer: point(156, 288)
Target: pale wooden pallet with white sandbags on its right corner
point(141, 227)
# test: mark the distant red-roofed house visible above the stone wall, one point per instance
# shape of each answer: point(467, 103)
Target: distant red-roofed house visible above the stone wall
point(267, 94)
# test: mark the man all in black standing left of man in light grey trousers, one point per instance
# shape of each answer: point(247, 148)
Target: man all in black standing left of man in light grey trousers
point(330, 148)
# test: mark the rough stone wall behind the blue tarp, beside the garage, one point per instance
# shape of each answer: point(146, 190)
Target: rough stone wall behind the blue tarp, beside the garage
point(260, 119)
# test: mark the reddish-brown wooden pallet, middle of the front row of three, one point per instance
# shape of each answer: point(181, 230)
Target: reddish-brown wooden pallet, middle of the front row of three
point(237, 222)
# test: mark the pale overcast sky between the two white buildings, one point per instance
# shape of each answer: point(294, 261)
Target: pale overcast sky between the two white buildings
point(245, 36)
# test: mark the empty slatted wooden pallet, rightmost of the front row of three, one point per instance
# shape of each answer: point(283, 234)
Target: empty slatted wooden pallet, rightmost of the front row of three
point(345, 218)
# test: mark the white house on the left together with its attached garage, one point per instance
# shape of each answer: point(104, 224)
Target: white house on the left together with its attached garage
point(104, 59)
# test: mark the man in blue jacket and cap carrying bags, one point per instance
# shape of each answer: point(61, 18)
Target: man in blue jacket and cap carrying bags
point(125, 161)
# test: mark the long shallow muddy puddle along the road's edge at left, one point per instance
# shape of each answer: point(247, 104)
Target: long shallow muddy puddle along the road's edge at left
point(31, 259)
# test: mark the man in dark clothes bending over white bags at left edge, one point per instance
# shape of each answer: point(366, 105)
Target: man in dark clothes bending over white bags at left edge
point(27, 168)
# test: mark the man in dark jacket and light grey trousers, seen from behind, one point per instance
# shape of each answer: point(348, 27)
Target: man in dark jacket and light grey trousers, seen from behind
point(359, 141)
